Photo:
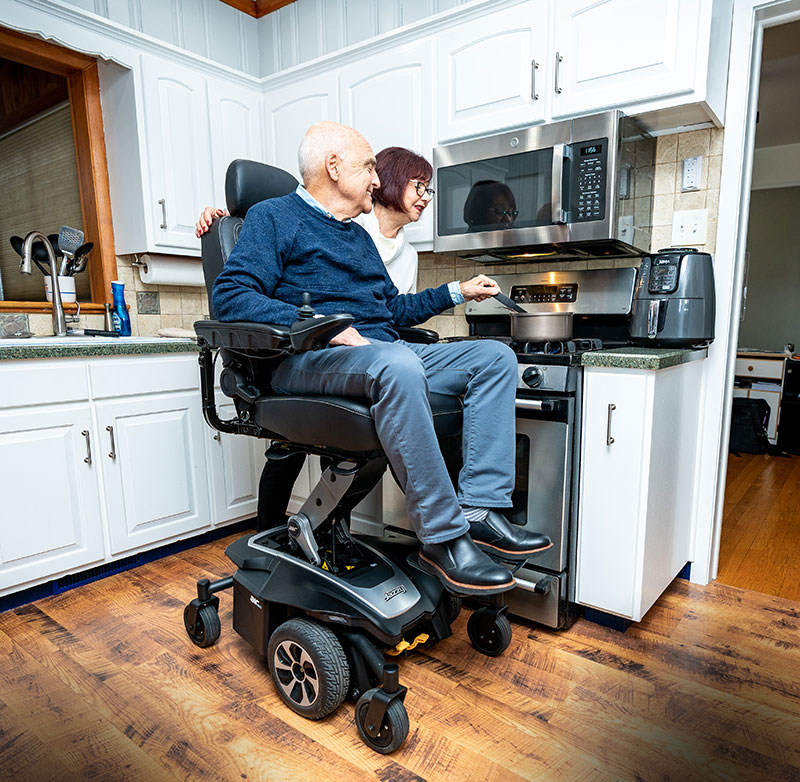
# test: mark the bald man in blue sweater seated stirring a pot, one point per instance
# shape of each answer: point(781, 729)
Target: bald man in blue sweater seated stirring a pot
point(307, 242)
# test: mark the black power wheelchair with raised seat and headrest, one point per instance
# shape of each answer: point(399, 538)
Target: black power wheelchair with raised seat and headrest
point(320, 604)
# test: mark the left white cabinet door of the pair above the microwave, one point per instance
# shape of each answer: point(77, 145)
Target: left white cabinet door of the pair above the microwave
point(487, 78)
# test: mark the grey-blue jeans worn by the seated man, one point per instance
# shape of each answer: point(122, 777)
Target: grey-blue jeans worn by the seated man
point(396, 377)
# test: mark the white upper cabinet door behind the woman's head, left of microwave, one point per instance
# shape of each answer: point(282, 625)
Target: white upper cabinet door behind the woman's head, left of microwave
point(389, 99)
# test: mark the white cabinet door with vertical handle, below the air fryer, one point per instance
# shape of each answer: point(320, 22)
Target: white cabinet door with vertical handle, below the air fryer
point(612, 485)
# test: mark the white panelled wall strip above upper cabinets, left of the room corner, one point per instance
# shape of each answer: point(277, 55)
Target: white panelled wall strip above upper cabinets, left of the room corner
point(208, 28)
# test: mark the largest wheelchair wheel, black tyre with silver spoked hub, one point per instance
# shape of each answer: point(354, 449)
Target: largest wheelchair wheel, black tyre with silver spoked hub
point(309, 668)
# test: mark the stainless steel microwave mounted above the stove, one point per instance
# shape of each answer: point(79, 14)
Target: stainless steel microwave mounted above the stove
point(573, 189)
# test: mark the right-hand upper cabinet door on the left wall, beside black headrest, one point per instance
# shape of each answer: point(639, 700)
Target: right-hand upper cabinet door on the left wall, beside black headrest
point(235, 120)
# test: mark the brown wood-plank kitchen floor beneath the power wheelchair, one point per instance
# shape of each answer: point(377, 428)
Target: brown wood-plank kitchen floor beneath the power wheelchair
point(101, 683)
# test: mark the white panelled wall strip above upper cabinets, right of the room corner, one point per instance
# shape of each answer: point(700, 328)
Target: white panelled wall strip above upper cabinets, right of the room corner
point(307, 29)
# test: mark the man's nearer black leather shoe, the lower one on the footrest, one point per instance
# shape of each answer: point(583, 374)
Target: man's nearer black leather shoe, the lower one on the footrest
point(463, 568)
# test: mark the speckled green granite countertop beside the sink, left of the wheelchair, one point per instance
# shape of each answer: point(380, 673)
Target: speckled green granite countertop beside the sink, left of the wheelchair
point(87, 347)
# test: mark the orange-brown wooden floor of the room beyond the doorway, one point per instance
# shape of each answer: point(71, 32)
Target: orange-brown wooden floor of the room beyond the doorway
point(760, 542)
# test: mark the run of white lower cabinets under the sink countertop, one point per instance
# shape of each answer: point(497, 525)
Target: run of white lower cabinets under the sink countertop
point(127, 464)
